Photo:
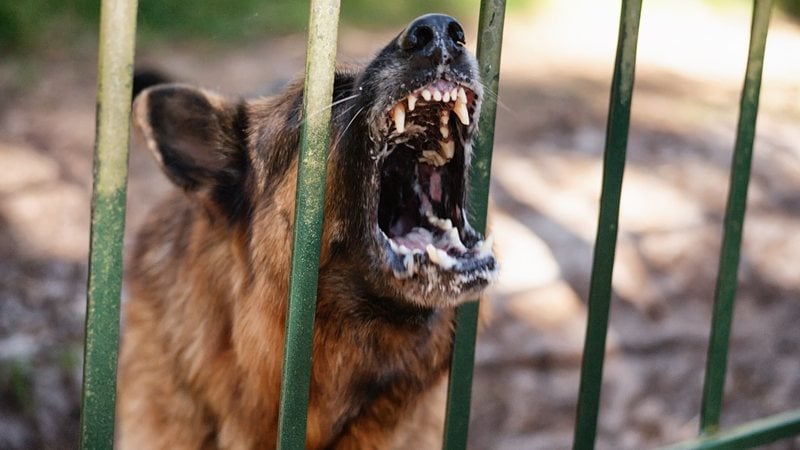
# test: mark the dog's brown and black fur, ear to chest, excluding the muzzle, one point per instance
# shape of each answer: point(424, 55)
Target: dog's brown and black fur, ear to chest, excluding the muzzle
point(203, 341)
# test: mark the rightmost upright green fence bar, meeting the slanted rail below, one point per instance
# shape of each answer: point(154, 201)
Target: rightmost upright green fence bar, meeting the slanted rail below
point(717, 360)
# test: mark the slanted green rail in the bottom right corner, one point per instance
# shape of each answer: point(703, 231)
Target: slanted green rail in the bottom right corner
point(752, 434)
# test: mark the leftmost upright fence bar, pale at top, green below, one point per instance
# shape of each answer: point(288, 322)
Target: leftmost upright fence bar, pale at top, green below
point(115, 73)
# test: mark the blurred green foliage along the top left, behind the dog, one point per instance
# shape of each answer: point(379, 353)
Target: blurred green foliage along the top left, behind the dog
point(34, 25)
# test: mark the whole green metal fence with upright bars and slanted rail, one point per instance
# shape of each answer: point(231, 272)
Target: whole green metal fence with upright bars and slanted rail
point(117, 32)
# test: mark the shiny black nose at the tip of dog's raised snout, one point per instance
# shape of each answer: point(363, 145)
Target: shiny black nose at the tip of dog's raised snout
point(434, 38)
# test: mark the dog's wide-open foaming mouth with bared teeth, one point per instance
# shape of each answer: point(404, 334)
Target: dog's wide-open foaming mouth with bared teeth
point(422, 180)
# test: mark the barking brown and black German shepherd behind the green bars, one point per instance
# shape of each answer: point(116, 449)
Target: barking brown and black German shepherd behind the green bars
point(203, 343)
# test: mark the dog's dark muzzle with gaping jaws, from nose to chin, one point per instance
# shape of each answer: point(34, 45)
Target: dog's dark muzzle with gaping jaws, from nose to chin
point(405, 140)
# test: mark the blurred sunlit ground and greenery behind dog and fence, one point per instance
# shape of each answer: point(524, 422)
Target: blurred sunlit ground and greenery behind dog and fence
point(556, 71)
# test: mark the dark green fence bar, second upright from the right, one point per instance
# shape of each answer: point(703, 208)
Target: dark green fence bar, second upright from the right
point(606, 238)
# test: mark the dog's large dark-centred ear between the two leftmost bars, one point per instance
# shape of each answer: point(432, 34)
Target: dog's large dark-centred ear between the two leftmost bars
point(193, 134)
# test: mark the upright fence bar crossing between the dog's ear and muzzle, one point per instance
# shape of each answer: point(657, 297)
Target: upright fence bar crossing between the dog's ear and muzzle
point(310, 202)
